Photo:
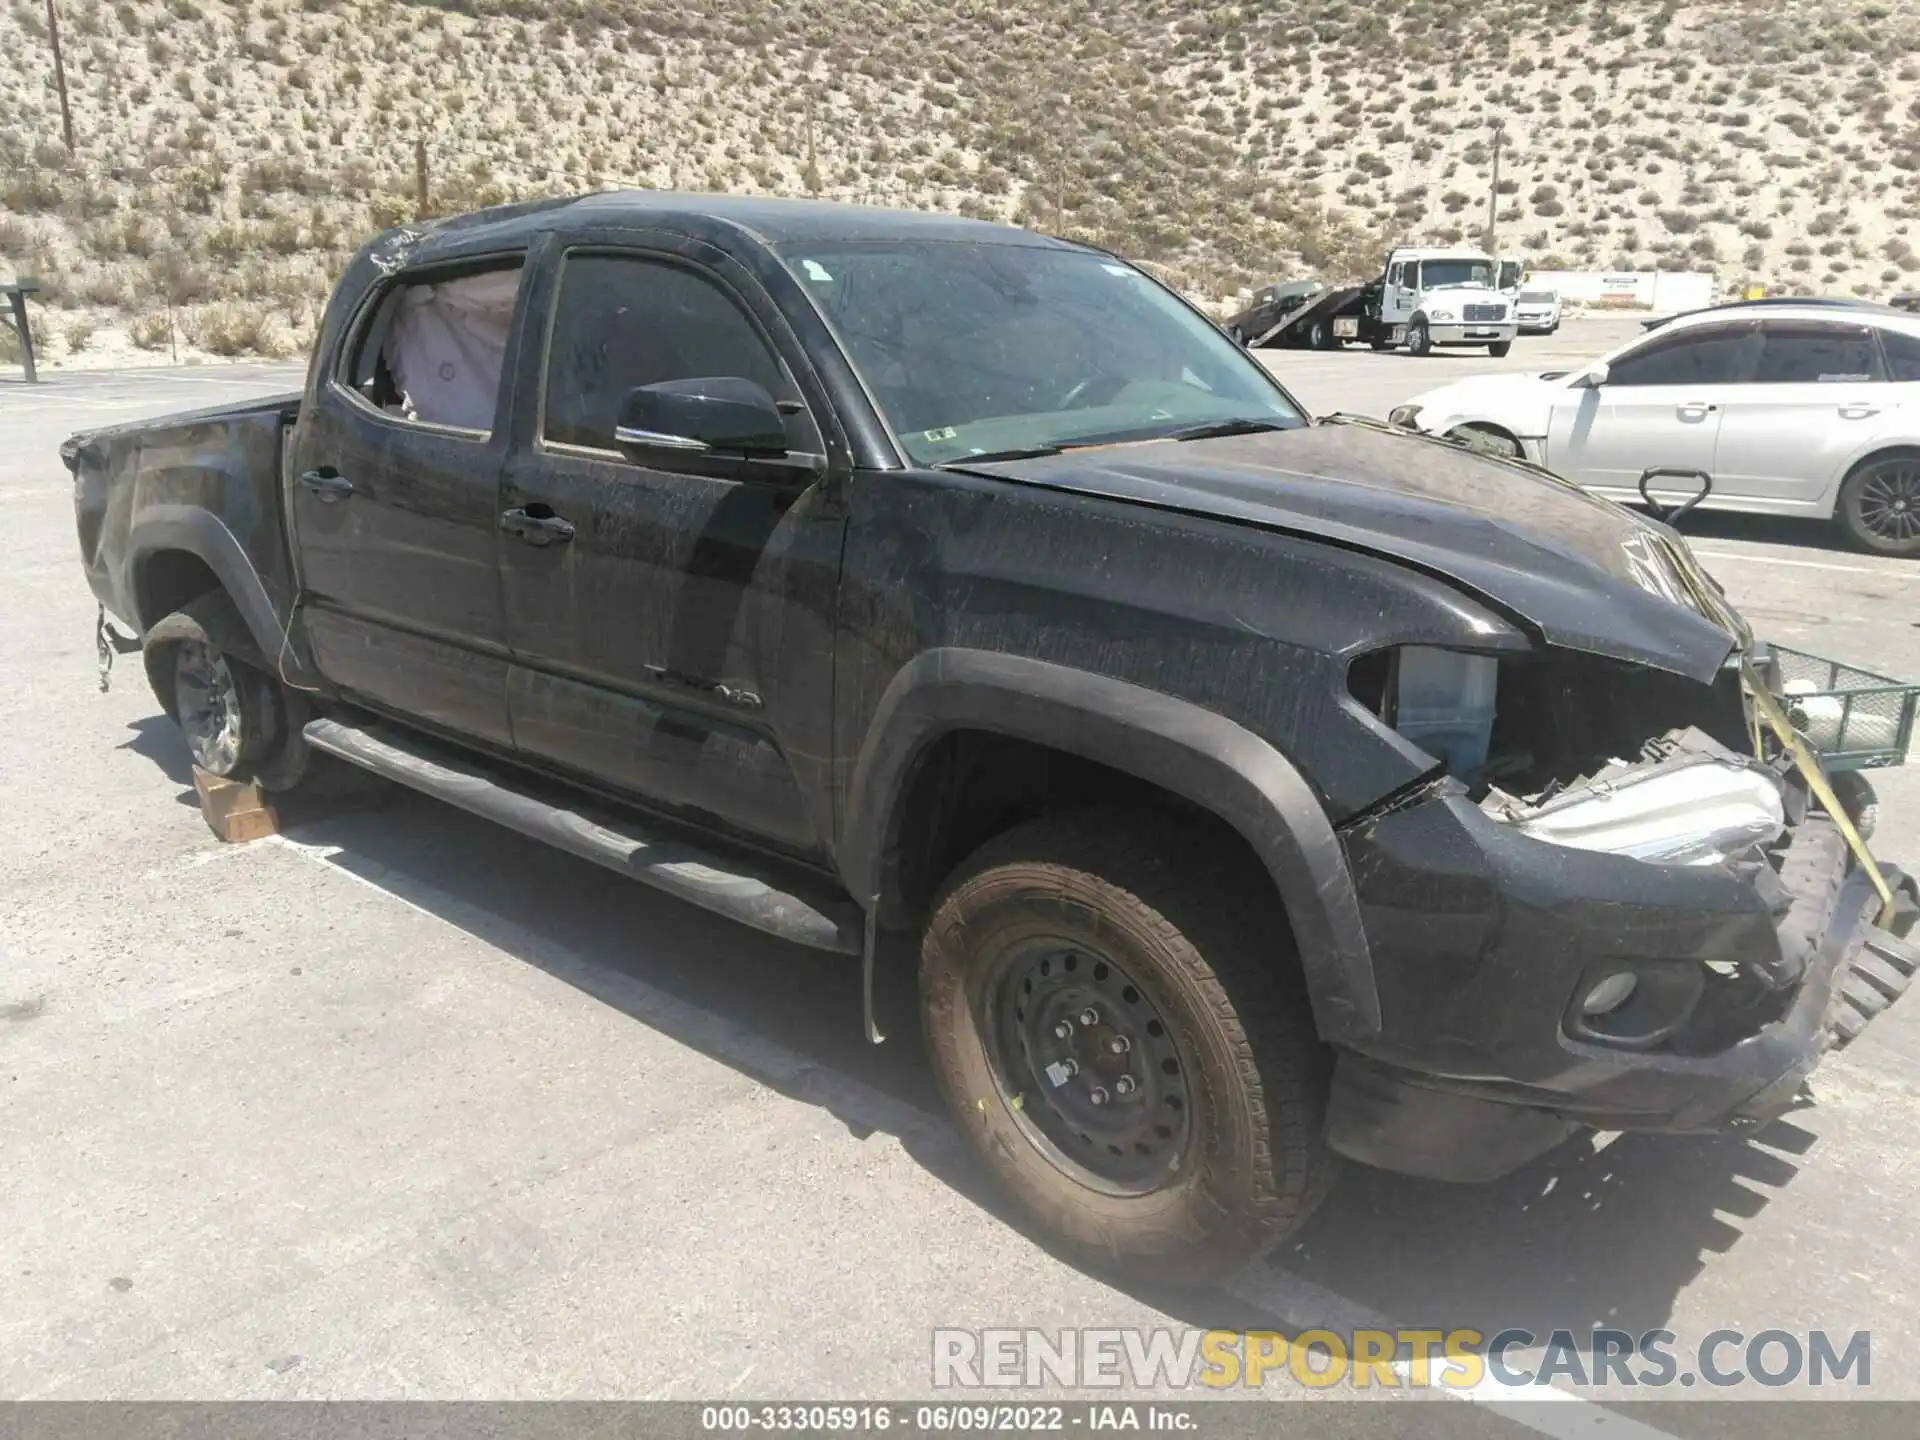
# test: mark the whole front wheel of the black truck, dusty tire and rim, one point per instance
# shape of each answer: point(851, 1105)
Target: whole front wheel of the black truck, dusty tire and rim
point(1126, 1042)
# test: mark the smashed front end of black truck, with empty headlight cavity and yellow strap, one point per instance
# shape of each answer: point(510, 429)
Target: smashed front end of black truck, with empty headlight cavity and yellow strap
point(1625, 900)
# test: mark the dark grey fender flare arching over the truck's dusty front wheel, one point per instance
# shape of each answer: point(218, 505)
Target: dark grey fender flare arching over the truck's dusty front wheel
point(1178, 746)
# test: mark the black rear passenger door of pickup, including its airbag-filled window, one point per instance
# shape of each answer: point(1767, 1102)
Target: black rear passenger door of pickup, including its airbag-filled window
point(395, 489)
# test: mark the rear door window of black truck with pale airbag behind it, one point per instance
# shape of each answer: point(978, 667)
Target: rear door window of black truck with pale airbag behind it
point(435, 348)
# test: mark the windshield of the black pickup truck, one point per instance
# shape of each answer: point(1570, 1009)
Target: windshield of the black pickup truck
point(990, 348)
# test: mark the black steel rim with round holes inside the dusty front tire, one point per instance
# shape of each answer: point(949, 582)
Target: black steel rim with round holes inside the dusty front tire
point(1138, 1138)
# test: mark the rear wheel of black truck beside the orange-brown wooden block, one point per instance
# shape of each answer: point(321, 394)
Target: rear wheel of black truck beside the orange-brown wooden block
point(208, 638)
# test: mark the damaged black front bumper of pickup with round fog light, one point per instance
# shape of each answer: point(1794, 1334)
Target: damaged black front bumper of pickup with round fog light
point(1504, 942)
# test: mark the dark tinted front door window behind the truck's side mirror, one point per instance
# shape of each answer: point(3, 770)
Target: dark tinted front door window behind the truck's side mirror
point(621, 324)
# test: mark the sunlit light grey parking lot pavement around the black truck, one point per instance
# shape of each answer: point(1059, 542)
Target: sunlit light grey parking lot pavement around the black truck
point(406, 1107)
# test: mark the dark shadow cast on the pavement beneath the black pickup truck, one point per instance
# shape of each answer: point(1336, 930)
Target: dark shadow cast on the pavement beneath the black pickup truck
point(1583, 1237)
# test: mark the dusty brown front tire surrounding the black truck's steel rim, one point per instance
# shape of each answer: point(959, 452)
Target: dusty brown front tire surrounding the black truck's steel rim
point(1195, 924)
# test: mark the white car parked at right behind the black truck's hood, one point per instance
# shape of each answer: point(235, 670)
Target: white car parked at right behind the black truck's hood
point(1792, 408)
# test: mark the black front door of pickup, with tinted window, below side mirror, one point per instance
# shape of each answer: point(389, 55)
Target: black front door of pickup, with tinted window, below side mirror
point(669, 627)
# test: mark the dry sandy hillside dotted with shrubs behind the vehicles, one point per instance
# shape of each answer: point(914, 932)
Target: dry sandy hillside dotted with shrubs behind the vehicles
point(228, 156)
